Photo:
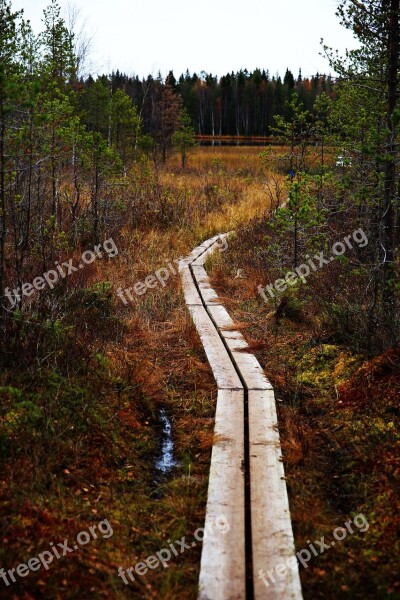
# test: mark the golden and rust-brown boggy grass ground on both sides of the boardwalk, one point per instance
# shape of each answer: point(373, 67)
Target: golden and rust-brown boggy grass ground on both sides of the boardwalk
point(115, 367)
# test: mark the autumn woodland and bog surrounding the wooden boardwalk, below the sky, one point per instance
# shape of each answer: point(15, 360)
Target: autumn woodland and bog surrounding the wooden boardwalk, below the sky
point(103, 182)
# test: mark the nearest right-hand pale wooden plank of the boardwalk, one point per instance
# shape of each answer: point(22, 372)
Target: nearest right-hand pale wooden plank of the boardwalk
point(272, 535)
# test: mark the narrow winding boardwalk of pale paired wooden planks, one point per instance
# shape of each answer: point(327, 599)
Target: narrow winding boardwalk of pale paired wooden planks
point(247, 479)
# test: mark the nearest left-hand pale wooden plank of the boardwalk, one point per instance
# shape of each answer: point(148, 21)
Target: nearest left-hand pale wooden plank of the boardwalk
point(222, 571)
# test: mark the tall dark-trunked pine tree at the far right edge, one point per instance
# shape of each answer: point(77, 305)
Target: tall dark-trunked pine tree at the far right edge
point(375, 67)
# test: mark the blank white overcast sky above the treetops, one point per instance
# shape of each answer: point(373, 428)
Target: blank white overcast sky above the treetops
point(216, 36)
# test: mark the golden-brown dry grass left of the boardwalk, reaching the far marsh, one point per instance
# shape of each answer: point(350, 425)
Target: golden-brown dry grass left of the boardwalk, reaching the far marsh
point(133, 359)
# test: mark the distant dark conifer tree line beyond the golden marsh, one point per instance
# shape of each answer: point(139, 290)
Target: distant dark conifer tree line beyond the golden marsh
point(242, 103)
